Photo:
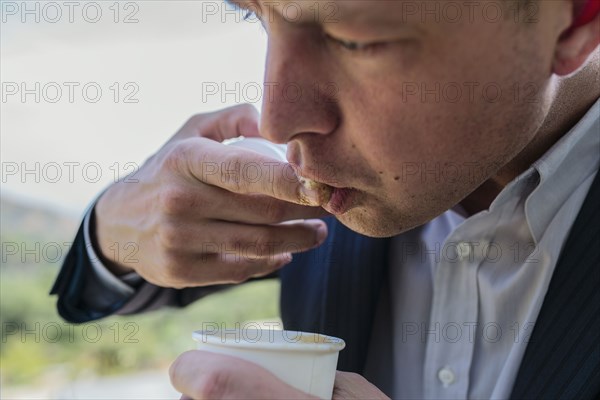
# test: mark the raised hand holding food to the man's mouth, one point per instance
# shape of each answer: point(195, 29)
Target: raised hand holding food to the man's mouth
point(197, 220)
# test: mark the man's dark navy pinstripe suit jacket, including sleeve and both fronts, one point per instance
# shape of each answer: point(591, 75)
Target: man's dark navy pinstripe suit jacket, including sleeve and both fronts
point(334, 290)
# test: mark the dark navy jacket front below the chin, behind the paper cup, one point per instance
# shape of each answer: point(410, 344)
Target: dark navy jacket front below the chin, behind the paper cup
point(334, 290)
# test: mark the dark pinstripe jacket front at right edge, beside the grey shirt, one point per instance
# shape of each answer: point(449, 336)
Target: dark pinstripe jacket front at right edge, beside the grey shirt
point(562, 359)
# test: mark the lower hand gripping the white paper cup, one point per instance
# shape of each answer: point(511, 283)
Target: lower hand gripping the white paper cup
point(204, 375)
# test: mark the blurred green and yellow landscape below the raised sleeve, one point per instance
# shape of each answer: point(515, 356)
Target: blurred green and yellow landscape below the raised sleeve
point(40, 350)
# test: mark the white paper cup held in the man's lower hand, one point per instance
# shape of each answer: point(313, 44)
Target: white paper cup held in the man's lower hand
point(306, 361)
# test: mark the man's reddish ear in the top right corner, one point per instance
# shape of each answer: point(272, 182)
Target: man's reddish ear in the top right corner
point(579, 40)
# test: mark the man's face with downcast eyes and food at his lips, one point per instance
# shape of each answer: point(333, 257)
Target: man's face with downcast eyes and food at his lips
point(406, 107)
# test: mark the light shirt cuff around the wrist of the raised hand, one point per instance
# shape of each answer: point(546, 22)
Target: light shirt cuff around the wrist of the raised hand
point(120, 285)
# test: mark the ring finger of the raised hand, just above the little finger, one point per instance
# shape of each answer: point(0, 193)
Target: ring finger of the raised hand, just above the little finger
point(246, 241)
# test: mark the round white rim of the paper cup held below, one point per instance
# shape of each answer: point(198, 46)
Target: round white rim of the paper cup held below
point(326, 344)
